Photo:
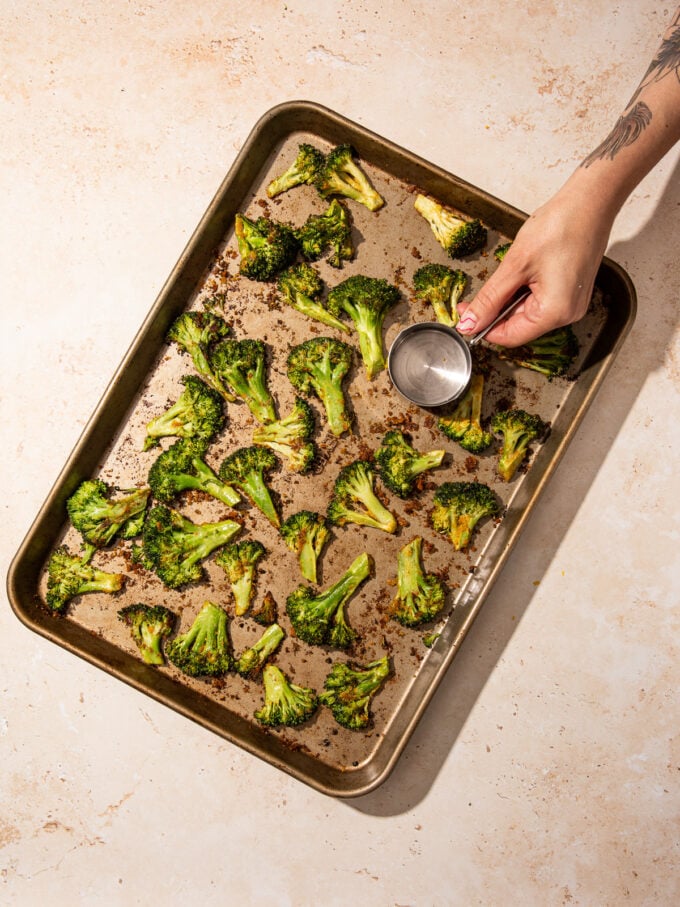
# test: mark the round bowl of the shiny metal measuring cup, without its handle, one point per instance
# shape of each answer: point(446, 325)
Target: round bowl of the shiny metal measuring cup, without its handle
point(429, 364)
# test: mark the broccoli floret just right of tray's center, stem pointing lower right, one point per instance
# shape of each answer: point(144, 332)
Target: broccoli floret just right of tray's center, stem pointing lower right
point(354, 499)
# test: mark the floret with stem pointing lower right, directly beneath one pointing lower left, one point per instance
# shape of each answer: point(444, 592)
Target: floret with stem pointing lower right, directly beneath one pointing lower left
point(182, 468)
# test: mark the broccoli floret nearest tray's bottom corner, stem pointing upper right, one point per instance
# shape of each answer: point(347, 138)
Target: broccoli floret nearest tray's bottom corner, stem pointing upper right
point(349, 689)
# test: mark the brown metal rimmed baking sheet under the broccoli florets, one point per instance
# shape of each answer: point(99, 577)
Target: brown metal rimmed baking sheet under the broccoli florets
point(391, 243)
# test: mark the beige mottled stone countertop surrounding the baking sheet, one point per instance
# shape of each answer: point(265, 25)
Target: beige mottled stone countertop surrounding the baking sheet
point(546, 768)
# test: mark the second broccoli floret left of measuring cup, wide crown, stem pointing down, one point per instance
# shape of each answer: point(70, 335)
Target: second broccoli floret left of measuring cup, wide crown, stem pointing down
point(318, 366)
